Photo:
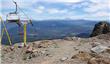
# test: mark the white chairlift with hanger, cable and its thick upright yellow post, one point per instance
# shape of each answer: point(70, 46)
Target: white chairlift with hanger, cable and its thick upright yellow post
point(14, 18)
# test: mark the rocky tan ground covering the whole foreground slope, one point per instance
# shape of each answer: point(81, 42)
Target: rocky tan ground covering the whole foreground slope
point(71, 50)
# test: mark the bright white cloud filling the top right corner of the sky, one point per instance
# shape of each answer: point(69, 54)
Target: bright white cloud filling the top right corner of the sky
point(98, 5)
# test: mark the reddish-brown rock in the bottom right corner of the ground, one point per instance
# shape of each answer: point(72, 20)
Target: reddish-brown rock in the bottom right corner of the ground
point(99, 60)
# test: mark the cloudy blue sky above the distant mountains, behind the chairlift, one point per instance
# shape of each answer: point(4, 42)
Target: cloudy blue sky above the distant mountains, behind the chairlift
point(59, 9)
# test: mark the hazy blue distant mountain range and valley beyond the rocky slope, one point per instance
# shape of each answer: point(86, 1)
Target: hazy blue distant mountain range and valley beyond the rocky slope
point(51, 29)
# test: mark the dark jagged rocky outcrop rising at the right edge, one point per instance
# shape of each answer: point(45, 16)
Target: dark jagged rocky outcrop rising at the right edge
point(101, 28)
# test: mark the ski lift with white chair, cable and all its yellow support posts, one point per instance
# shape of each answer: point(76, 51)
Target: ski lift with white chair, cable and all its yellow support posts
point(14, 18)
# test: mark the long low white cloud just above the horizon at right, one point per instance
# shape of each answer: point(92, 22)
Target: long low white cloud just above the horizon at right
point(101, 15)
